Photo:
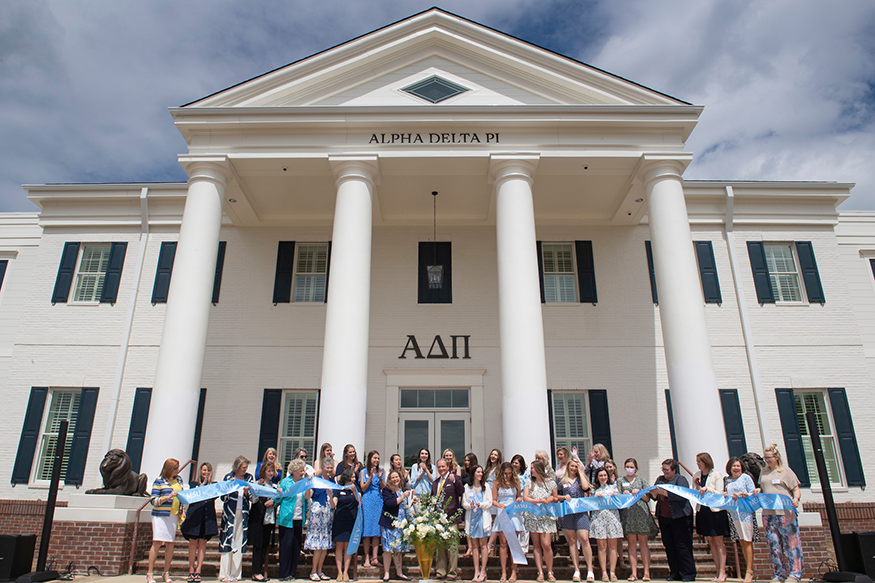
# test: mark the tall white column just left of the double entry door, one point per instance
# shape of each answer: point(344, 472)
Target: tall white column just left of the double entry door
point(347, 317)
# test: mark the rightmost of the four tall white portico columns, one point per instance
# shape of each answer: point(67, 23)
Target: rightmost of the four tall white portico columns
point(698, 418)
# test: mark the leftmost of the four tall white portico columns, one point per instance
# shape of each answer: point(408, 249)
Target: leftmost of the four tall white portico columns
point(173, 408)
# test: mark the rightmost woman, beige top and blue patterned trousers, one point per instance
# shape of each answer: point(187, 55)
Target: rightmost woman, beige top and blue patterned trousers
point(782, 528)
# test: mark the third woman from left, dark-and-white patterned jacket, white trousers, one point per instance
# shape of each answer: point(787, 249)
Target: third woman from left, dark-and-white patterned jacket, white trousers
point(233, 536)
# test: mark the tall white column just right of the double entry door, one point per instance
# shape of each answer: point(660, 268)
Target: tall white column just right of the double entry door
point(525, 417)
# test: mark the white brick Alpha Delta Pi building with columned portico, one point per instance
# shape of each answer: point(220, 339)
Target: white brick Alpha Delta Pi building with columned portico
point(553, 179)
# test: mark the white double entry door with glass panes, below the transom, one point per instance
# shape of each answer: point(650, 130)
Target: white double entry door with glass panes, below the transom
point(436, 431)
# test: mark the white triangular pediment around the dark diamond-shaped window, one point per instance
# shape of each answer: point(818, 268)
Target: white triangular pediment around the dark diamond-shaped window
point(493, 69)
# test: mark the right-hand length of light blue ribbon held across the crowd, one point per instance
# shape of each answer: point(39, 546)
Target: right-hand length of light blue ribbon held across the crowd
point(749, 504)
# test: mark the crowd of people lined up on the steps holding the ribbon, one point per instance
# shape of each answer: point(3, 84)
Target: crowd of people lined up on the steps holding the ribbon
point(384, 494)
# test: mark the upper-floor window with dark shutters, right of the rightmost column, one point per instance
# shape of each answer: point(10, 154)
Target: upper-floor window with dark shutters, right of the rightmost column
point(777, 275)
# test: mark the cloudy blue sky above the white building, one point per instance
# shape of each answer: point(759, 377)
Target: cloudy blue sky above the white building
point(788, 86)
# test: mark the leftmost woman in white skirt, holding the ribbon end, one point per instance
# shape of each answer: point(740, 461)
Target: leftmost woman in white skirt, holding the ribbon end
point(165, 516)
